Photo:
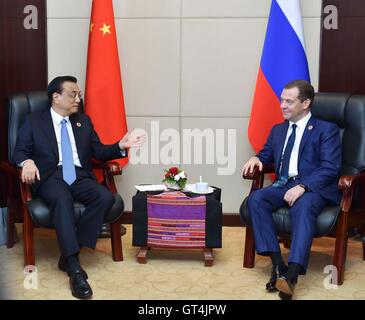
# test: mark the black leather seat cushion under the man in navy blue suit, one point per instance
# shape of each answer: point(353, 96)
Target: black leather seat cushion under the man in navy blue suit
point(325, 222)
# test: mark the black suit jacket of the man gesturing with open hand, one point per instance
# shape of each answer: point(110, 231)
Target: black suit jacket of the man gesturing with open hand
point(37, 140)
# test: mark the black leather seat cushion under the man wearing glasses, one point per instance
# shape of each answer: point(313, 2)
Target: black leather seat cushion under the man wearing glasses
point(42, 218)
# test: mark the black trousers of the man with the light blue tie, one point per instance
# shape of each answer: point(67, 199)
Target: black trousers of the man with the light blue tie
point(60, 197)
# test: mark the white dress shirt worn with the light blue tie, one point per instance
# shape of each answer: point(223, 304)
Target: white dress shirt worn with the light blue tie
point(56, 119)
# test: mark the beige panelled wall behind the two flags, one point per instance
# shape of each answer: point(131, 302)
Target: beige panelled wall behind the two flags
point(186, 63)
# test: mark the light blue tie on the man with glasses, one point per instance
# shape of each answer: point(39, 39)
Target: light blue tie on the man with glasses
point(68, 167)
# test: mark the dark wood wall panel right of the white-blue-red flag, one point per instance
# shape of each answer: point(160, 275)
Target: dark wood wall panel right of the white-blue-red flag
point(342, 61)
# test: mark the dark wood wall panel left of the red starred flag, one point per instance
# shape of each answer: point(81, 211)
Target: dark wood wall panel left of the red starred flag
point(23, 61)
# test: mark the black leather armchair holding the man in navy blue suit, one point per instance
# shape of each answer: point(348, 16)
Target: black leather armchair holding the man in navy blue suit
point(349, 114)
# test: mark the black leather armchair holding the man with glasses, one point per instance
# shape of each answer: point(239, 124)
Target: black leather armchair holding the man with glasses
point(32, 211)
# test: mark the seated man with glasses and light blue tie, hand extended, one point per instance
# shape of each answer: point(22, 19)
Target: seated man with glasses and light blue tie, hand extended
point(55, 149)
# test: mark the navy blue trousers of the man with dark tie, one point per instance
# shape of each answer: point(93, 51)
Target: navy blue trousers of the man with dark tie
point(303, 216)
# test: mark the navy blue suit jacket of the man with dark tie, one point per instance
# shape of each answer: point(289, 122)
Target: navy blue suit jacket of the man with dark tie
point(319, 158)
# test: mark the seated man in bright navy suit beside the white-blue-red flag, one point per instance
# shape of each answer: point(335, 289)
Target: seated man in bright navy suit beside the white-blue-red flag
point(306, 153)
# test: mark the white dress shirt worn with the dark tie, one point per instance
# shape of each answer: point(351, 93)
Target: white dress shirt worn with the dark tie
point(301, 125)
